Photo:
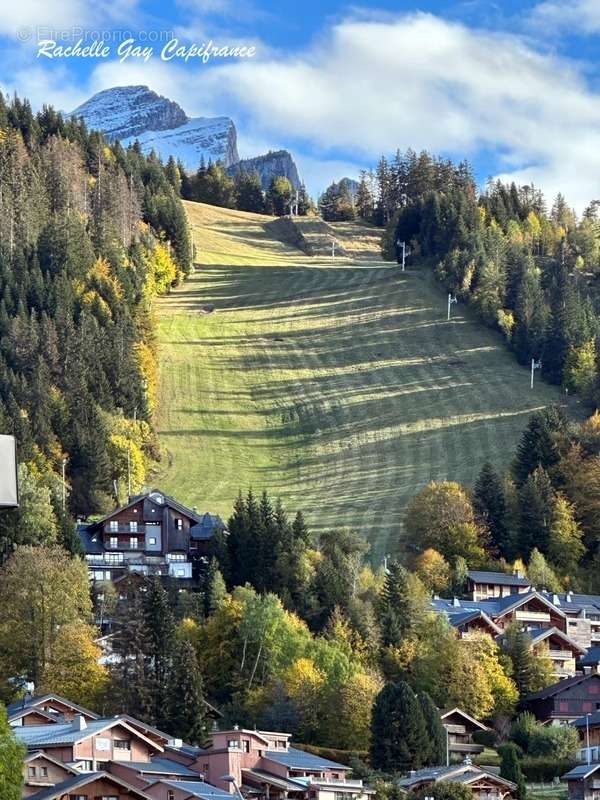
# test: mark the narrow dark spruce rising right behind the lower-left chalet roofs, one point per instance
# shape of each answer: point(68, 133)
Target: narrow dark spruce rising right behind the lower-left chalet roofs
point(187, 709)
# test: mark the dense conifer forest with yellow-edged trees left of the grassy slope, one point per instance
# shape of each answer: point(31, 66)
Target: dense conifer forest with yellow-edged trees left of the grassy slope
point(89, 233)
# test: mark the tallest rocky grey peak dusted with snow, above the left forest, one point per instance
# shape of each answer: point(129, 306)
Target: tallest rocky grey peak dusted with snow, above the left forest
point(131, 113)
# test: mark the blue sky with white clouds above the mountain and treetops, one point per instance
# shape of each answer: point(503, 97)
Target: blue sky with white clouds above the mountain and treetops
point(513, 86)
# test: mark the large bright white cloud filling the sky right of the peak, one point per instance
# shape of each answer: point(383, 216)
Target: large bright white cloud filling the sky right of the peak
point(423, 82)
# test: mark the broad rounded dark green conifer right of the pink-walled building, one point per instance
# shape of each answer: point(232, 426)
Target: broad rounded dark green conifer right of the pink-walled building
point(399, 740)
